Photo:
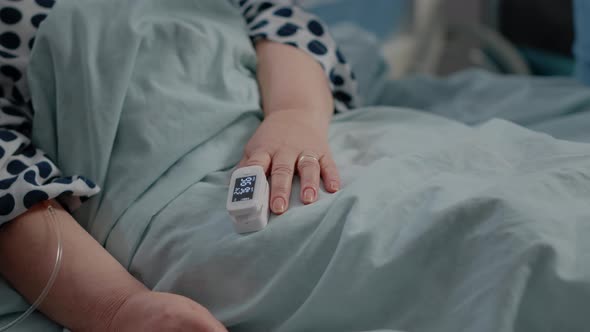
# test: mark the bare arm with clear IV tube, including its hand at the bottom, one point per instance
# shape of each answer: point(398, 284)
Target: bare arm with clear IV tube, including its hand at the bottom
point(93, 292)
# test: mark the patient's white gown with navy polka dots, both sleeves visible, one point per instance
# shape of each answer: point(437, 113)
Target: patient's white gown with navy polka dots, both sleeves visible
point(28, 176)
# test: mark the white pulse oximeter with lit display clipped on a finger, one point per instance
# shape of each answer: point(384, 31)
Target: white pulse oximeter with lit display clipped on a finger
point(247, 199)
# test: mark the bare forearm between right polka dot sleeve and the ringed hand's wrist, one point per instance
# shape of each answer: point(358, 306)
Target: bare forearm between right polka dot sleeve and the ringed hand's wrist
point(290, 79)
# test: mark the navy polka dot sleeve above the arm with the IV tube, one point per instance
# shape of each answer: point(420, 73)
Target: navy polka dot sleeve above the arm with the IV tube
point(27, 175)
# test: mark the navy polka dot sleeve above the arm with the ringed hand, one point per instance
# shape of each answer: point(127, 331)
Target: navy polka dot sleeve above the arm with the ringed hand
point(284, 22)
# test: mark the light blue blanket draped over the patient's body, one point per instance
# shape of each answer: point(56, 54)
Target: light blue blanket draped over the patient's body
point(440, 226)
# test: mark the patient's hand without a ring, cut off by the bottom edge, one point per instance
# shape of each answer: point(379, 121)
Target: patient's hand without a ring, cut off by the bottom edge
point(151, 311)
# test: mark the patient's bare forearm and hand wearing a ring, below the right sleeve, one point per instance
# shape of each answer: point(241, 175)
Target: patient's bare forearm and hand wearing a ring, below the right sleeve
point(298, 106)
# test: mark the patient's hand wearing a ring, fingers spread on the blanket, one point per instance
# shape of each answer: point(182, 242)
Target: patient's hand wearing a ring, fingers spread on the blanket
point(293, 140)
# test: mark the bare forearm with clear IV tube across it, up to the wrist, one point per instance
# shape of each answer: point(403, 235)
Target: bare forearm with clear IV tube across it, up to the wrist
point(91, 284)
